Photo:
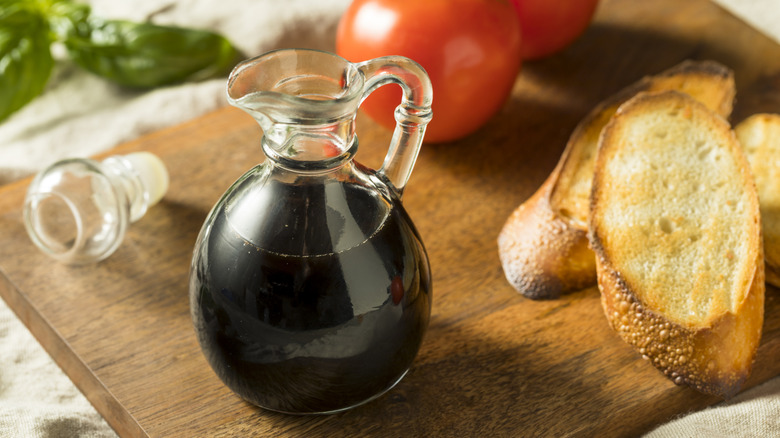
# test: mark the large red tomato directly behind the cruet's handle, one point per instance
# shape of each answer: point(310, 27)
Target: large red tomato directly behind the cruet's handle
point(469, 48)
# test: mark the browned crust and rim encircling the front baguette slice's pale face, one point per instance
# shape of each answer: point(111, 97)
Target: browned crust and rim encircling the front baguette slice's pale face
point(714, 356)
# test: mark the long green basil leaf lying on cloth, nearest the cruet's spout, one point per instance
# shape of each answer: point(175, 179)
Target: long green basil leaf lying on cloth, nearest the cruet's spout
point(145, 55)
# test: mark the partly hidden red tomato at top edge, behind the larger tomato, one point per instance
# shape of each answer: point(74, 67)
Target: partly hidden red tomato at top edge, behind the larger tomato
point(550, 25)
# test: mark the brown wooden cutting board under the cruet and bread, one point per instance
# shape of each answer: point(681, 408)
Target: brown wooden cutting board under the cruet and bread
point(493, 363)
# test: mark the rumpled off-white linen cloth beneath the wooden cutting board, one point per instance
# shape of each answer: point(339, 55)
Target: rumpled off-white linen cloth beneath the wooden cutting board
point(36, 398)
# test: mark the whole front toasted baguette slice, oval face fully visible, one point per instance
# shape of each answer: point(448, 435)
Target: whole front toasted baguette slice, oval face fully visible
point(676, 229)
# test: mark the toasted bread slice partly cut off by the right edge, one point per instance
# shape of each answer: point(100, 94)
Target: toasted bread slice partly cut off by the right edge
point(760, 138)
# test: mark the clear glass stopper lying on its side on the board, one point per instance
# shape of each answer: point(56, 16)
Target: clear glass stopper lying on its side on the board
point(77, 210)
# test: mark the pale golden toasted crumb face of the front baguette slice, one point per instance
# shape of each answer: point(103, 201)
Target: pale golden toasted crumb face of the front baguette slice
point(679, 215)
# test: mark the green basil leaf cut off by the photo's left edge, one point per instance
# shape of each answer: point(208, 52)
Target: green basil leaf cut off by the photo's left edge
point(25, 59)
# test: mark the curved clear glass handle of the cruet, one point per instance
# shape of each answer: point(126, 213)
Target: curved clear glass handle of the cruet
point(411, 116)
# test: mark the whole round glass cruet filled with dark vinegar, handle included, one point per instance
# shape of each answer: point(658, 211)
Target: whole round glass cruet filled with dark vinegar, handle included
point(310, 288)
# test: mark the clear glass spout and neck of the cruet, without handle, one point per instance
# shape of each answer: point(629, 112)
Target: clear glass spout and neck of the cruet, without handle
point(304, 100)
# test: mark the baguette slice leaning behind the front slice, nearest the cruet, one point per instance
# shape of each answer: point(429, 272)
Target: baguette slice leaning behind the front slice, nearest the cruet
point(543, 245)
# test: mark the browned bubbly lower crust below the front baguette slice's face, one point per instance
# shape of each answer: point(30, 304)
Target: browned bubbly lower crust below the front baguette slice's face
point(676, 350)
